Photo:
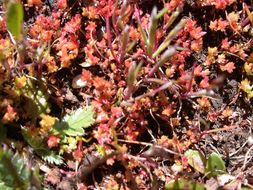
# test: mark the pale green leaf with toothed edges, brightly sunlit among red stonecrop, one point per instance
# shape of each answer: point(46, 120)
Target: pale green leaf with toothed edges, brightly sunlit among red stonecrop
point(74, 123)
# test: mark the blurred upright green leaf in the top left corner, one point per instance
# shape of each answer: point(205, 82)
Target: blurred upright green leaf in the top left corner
point(15, 17)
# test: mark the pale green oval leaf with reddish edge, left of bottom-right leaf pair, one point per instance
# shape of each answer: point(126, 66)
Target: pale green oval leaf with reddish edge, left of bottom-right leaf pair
point(196, 160)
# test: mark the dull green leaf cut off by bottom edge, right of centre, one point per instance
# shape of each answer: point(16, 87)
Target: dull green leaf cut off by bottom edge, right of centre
point(183, 184)
